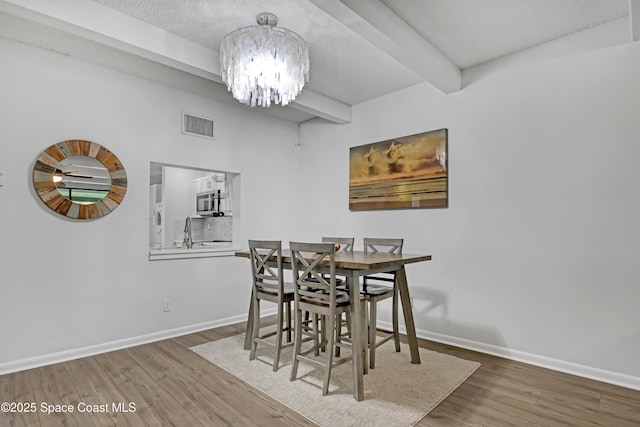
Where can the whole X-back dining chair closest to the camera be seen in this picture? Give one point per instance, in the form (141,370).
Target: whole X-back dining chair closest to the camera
(319,297)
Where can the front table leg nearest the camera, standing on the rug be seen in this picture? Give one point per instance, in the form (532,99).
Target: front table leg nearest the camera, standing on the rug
(358,335)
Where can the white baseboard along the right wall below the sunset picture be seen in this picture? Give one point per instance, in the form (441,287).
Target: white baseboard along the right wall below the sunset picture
(602,375)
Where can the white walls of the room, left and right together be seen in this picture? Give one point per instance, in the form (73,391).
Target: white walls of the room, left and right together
(534,259)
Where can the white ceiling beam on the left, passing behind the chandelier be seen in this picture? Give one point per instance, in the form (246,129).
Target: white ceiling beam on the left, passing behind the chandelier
(94,22)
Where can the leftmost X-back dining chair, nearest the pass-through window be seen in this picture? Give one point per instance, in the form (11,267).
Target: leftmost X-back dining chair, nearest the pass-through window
(269,285)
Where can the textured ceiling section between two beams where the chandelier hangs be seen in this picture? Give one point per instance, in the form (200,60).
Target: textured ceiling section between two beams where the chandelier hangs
(335,50)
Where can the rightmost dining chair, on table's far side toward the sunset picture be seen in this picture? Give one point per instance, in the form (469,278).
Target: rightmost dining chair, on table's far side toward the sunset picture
(376,288)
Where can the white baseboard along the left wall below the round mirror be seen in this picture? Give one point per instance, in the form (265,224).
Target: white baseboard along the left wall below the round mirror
(64,356)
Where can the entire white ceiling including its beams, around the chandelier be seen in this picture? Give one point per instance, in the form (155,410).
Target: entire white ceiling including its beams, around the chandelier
(359,49)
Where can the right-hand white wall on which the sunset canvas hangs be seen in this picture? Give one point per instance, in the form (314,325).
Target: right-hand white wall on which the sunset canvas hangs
(536,256)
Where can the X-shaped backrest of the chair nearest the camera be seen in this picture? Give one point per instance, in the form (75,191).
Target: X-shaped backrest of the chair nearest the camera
(311,287)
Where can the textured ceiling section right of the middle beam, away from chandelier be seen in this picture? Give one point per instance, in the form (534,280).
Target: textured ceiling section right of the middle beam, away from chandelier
(472,32)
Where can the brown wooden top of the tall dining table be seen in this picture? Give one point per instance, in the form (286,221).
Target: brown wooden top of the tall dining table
(360,260)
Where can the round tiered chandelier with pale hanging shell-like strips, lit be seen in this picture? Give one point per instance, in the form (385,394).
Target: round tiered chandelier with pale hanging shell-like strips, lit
(263,63)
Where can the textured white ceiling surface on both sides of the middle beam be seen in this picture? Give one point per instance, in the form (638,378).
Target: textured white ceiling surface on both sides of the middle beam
(467,32)
